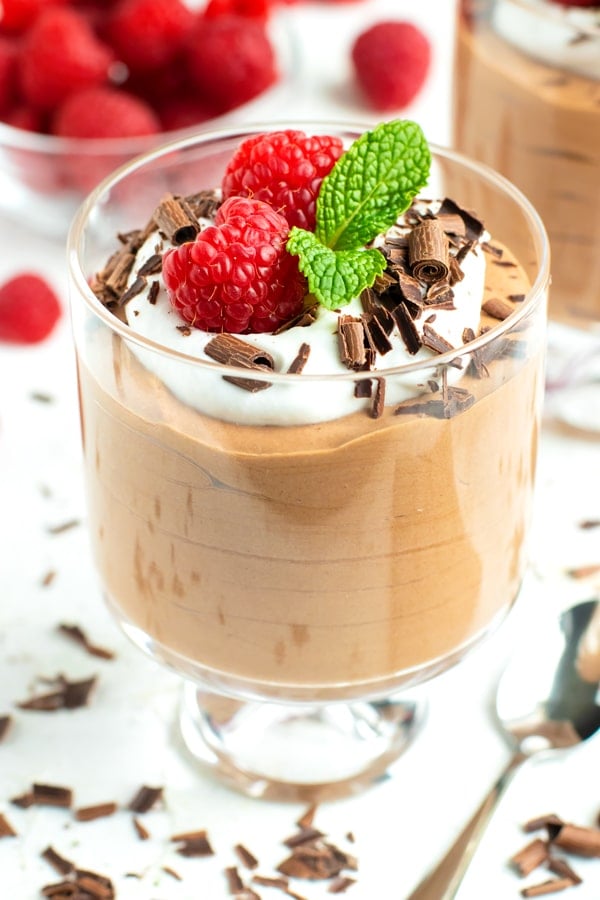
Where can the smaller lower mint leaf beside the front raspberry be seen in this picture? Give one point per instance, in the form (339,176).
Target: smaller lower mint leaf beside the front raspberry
(334,277)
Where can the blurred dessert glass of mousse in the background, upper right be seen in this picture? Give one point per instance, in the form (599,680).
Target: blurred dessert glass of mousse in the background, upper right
(527,103)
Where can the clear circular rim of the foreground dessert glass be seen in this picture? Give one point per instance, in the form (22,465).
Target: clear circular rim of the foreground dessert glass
(76,234)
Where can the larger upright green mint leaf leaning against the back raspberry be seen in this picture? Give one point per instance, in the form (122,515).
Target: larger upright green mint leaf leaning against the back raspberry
(371,184)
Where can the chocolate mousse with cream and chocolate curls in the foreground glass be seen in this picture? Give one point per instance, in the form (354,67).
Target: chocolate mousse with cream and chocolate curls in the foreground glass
(319,533)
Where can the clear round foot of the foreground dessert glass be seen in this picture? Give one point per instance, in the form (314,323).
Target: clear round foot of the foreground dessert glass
(297,752)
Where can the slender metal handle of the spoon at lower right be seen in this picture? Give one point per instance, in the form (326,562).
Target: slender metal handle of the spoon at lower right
(445,881)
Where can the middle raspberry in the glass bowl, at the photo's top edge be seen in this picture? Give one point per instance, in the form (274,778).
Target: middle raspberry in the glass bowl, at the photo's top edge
(149,33)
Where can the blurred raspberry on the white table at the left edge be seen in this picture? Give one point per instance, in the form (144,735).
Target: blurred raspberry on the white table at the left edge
(29,309)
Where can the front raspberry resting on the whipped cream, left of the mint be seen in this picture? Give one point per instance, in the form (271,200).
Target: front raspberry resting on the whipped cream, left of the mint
(237,275)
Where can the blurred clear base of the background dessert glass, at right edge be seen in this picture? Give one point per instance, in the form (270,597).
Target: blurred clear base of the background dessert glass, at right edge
(573,377)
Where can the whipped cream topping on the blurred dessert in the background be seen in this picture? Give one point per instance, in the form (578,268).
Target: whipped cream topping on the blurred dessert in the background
(564,37)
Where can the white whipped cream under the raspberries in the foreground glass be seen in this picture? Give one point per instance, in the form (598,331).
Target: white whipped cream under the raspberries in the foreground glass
(300,400)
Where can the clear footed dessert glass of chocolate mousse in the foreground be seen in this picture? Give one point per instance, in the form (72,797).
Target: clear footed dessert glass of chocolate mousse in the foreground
(298,576)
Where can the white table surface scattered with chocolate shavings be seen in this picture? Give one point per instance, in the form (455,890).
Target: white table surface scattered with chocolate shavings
(125,737)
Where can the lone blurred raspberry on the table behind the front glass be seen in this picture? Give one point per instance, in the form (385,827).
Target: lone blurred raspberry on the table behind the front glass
(391,61)
